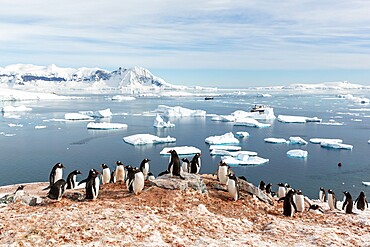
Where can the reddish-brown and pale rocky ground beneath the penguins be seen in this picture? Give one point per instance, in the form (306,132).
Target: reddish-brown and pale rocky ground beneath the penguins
(171,217)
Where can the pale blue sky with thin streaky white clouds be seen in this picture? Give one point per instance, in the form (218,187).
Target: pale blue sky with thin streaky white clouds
(195,42)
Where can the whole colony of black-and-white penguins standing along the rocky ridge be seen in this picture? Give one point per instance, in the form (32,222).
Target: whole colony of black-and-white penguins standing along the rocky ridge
(134,178)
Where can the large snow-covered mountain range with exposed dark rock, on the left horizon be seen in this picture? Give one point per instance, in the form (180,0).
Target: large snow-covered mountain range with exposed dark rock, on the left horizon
(55,79)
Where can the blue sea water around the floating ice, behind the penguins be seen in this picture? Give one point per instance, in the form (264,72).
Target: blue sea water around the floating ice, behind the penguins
(29,155)
